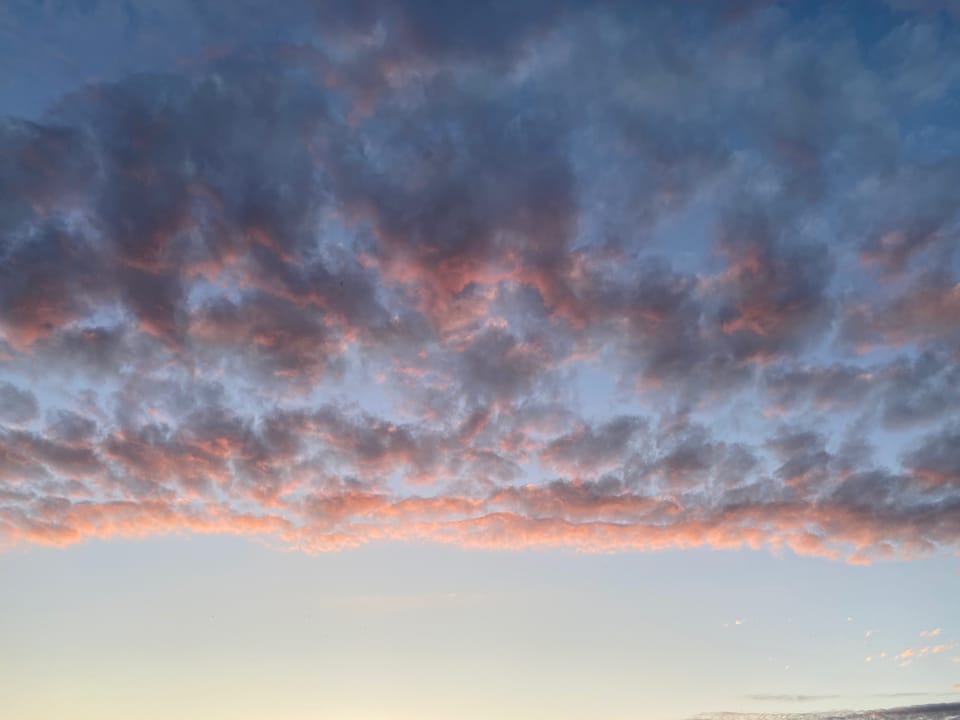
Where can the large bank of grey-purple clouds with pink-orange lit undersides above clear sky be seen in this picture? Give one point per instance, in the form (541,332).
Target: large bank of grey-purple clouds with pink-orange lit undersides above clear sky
(607,276)
